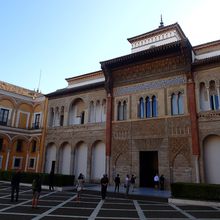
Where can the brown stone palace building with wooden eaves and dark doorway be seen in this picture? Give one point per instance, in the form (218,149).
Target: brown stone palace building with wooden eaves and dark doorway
(155,110)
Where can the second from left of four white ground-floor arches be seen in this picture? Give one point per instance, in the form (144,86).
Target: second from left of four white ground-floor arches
(64,159)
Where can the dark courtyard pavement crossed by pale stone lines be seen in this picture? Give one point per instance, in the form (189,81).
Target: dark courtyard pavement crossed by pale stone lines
(63,205)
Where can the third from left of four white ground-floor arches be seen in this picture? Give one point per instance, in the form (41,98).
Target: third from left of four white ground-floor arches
(81,153)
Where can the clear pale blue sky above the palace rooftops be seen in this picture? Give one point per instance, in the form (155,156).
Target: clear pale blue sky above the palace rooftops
(66,38)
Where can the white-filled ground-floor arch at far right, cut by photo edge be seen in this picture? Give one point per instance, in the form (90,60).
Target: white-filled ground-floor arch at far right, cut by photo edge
(211,146)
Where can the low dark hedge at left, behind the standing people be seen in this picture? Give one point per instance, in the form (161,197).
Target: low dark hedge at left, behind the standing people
(26,177)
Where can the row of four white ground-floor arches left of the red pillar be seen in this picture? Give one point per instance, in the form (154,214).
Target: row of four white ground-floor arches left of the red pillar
(75,160)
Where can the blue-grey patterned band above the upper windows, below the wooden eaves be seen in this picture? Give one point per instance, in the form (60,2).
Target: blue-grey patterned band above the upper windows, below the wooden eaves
(164,83)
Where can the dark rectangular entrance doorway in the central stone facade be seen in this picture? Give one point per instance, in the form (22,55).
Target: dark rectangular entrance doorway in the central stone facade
(148,167)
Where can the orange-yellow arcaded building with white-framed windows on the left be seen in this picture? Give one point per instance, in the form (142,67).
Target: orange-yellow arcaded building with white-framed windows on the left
(22,123)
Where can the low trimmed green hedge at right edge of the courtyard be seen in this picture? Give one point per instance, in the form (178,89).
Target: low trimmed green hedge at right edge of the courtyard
(196,191)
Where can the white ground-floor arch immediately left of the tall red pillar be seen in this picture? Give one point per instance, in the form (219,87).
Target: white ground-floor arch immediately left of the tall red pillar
(98,160)
